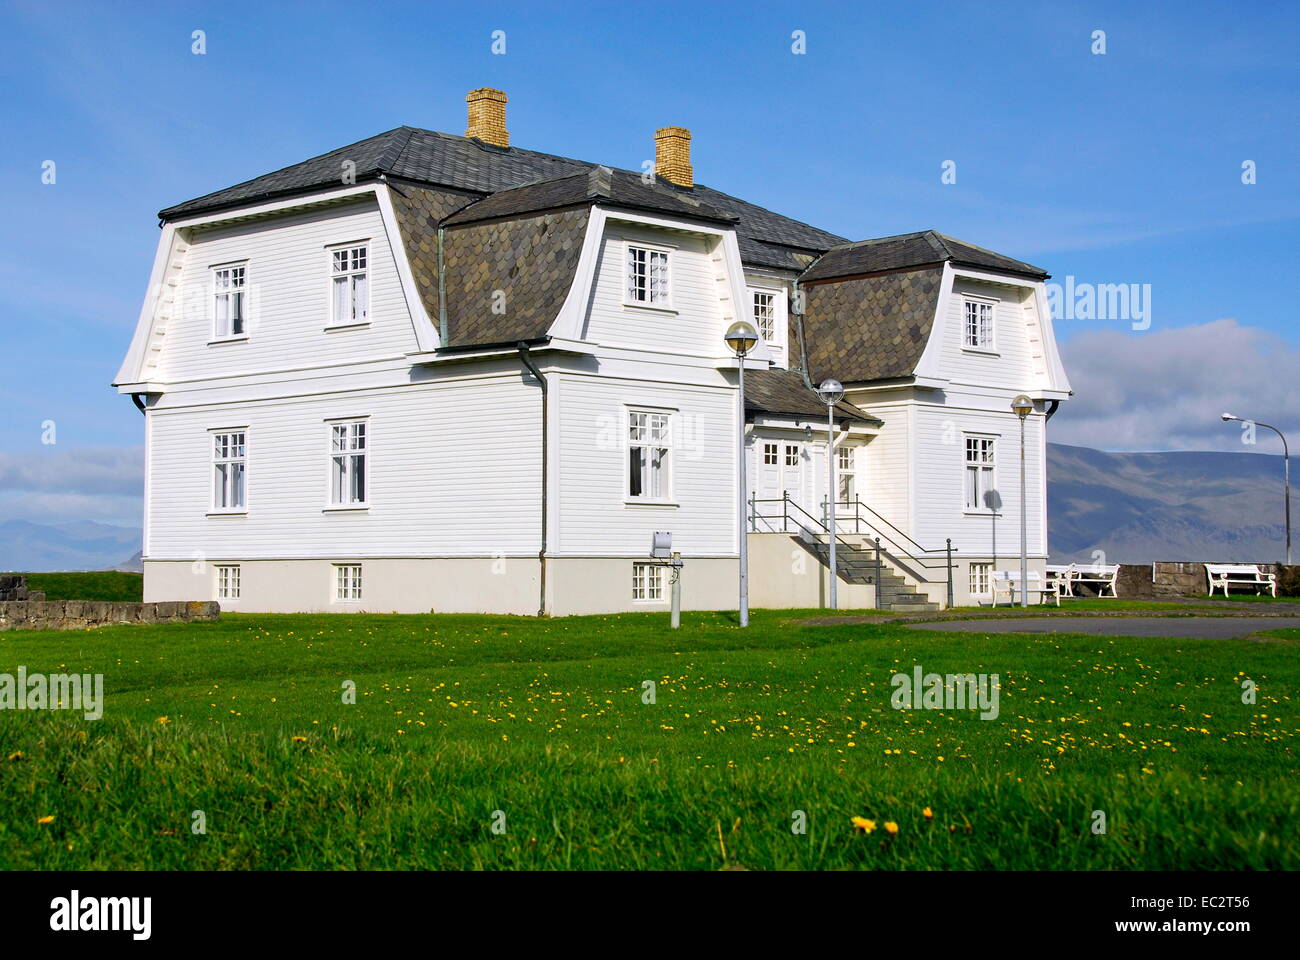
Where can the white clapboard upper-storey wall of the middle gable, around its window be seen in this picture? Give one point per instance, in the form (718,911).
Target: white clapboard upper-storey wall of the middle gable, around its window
(694,325)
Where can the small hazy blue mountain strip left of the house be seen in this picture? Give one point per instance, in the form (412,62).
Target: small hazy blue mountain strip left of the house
(75,546)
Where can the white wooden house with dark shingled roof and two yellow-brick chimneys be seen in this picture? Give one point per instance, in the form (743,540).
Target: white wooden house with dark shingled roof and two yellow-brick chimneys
(437,373)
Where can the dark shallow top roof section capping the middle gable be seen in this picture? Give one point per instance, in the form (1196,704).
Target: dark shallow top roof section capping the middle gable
(600,184)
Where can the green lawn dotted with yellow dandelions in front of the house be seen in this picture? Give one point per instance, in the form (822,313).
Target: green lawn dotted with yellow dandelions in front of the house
(460,717)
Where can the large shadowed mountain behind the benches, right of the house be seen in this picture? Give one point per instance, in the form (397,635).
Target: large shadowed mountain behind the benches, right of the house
(1139,508)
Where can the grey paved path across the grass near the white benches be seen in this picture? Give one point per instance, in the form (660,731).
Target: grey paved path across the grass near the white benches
(1202,628)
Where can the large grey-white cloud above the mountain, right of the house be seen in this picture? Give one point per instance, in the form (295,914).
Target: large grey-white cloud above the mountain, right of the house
(1167,390)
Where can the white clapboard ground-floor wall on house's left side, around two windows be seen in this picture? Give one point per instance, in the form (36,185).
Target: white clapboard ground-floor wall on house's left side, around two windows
(454,472)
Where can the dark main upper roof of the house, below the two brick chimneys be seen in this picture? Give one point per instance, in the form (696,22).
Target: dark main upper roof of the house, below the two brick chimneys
(460,163)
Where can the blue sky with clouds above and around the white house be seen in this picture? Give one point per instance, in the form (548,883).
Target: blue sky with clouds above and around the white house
(1124,167)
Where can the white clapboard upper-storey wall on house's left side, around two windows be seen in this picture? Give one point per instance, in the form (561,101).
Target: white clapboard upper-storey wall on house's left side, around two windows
(289,296)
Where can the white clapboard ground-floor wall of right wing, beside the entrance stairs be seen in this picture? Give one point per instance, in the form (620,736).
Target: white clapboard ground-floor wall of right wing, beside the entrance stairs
(941,496)
